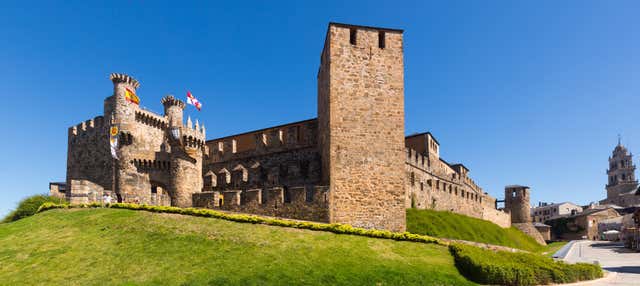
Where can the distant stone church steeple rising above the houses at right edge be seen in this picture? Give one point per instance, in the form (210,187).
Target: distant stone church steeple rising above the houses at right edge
(622,187)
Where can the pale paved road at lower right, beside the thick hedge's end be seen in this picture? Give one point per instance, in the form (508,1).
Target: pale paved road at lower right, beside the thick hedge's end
(624,264)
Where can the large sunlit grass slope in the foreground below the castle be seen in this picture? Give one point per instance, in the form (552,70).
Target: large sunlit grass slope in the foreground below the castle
(110,246)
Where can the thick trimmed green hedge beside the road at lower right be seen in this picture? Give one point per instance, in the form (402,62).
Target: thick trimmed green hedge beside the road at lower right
(509,268)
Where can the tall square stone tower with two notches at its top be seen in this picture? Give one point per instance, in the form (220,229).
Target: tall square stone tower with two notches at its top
(361,125)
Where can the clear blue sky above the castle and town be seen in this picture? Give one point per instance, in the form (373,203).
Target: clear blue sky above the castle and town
(530,93)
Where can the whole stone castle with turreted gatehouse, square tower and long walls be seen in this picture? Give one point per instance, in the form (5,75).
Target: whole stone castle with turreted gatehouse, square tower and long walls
(352,164)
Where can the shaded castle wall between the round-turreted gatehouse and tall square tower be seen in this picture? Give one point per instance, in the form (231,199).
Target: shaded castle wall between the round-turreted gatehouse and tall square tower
(279,156)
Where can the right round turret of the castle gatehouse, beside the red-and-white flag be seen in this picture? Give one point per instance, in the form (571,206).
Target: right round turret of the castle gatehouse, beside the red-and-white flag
(187,146)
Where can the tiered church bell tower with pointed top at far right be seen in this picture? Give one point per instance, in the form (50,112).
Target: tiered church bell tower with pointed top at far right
(621,173)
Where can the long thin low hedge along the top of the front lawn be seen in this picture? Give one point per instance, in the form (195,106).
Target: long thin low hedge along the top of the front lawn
(333,227)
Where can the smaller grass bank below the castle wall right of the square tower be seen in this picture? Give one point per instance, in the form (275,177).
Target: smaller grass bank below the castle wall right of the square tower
(450,225)
